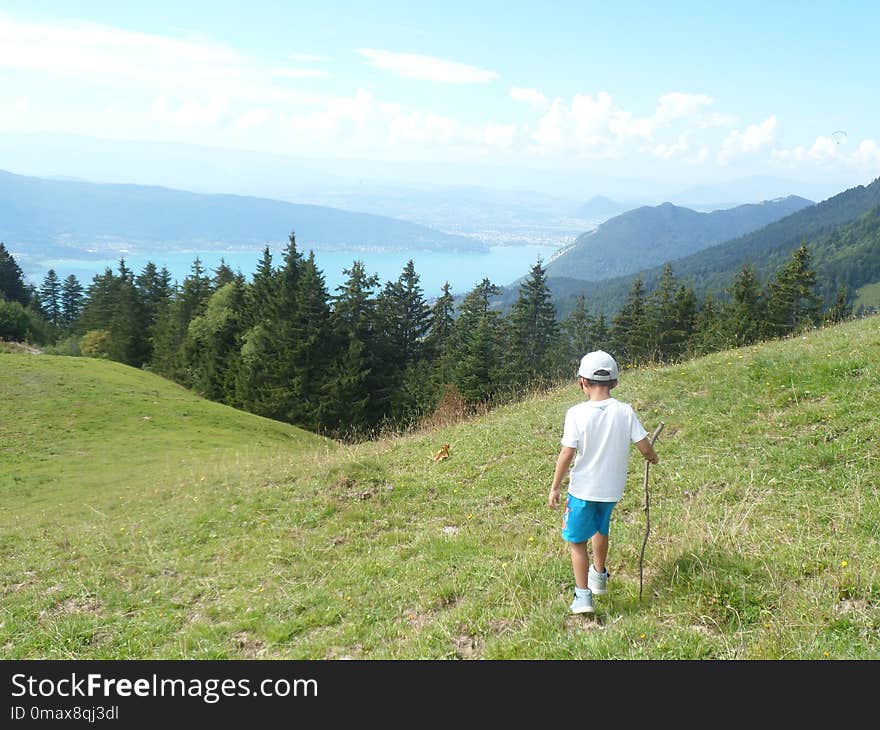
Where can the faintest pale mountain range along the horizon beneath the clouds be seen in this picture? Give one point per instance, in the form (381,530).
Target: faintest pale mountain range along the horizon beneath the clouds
(282,177)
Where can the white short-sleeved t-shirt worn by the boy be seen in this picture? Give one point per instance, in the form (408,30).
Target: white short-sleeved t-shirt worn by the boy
(602,432)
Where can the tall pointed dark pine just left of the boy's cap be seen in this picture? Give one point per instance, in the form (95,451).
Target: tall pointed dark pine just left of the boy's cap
(534,331)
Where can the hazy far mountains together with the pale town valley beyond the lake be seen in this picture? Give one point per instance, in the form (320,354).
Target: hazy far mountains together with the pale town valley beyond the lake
(522,206)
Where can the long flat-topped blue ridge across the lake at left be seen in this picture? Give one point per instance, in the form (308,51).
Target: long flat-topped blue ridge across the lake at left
(54,217)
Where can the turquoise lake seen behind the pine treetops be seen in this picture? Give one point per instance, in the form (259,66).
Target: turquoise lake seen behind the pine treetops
(502,265)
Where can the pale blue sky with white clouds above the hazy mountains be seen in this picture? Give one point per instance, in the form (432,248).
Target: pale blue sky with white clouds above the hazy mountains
(679,91)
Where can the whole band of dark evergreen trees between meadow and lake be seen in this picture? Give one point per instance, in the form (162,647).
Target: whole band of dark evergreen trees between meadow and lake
(372,356)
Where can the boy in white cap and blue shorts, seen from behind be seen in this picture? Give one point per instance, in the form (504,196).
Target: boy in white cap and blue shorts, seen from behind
(599,432)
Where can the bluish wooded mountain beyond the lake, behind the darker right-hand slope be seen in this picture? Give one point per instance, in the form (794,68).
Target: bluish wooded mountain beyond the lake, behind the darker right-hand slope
(651,235)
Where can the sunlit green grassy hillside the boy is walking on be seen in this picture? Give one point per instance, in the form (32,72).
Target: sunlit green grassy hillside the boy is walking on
(764,511)
